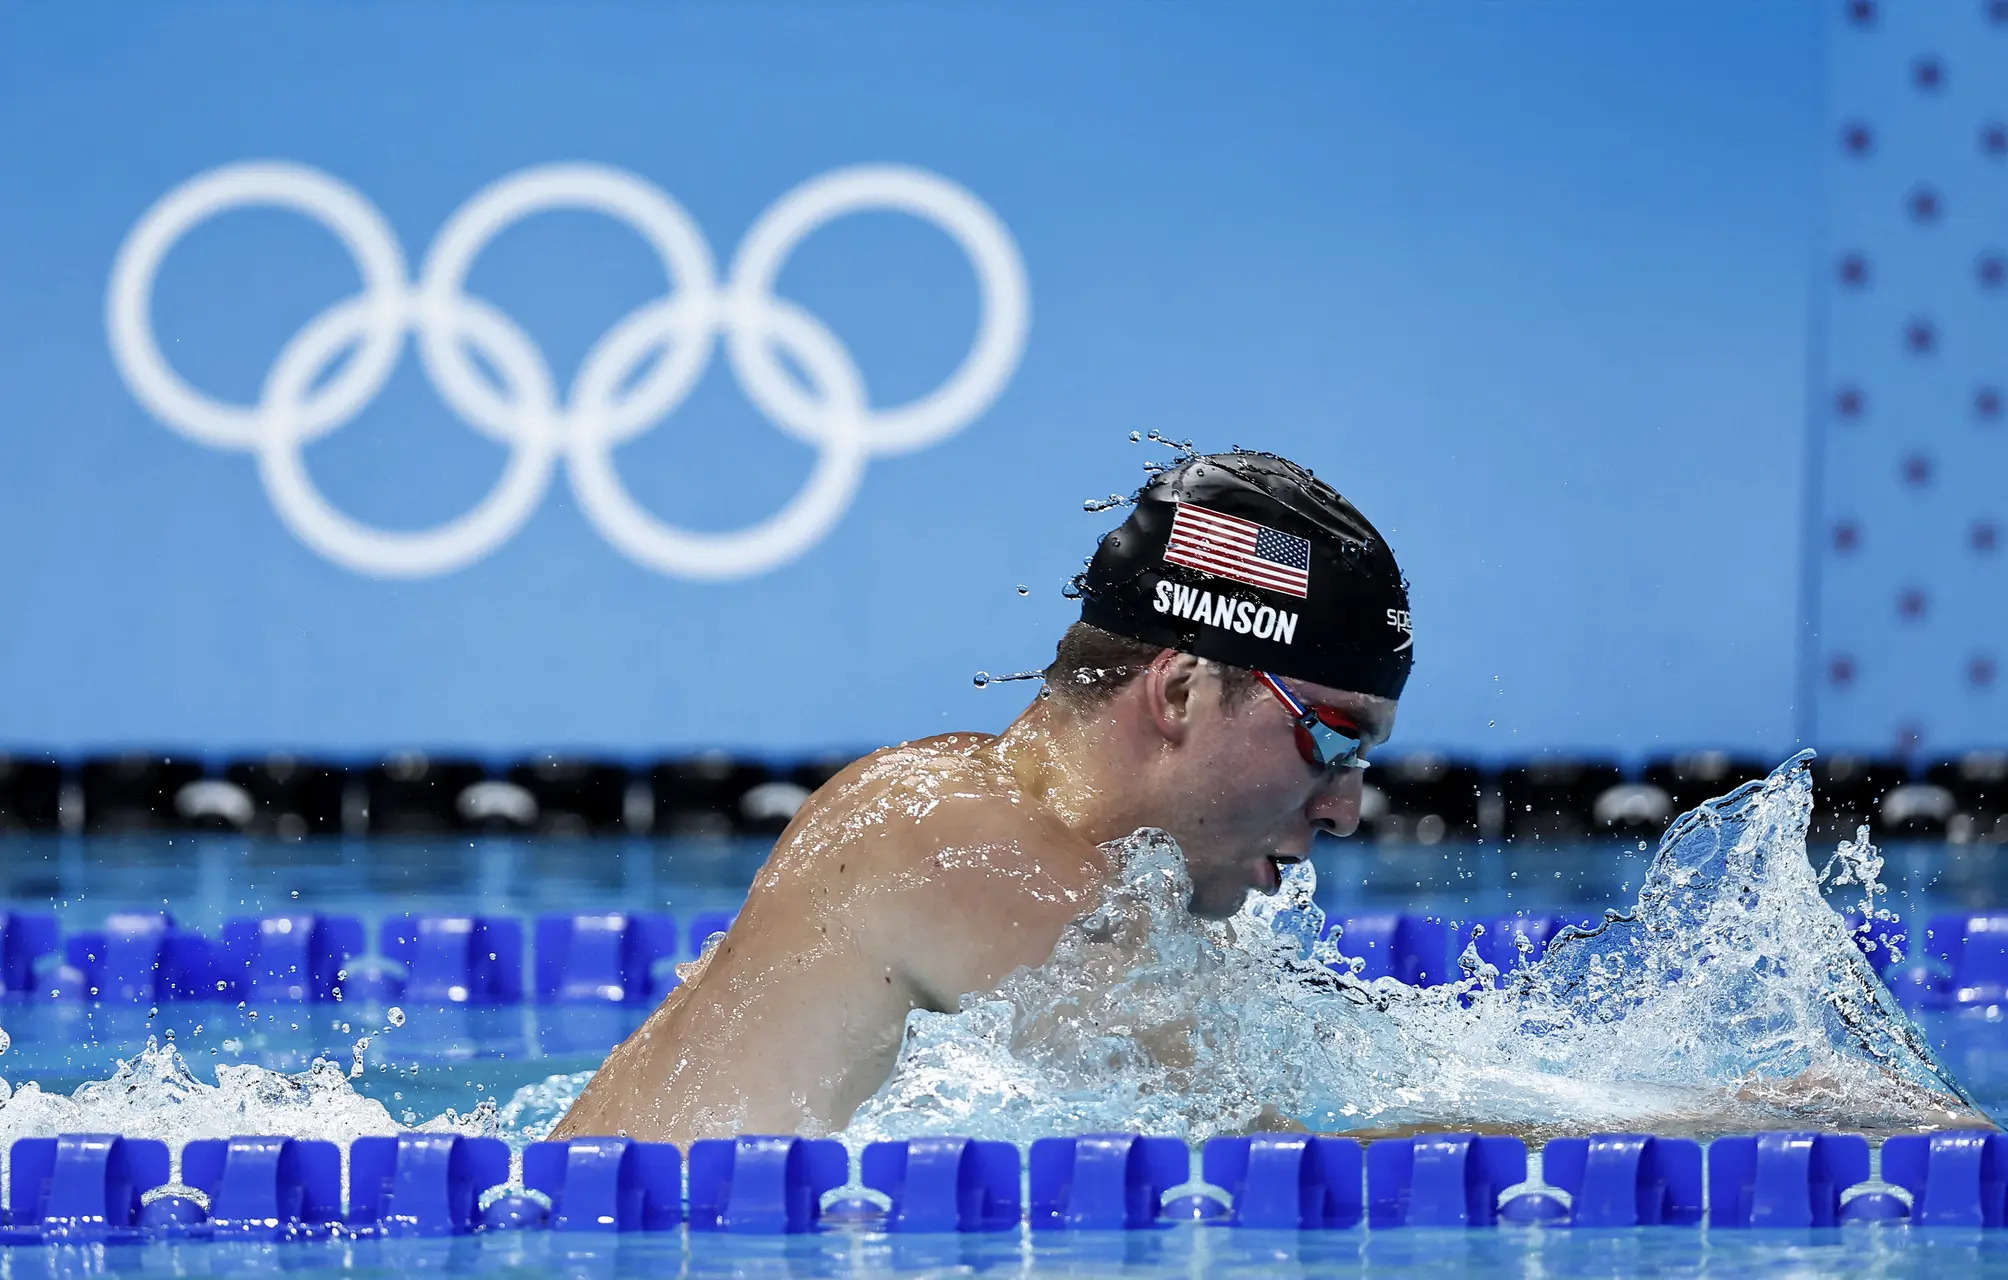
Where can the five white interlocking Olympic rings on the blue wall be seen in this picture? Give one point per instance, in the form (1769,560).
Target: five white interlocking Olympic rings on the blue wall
(617,393)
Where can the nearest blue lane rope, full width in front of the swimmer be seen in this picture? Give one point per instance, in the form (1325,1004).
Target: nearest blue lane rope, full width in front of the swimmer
(107,1189)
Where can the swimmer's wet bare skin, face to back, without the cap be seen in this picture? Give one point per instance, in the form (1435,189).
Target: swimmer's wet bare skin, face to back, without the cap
(931,871)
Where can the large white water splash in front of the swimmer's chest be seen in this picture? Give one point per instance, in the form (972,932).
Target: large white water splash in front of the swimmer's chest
(1730,998)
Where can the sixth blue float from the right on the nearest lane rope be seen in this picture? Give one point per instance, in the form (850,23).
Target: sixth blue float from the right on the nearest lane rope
(1103,1181)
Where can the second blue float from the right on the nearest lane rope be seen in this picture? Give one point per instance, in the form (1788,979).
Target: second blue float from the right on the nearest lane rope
(1794,1181)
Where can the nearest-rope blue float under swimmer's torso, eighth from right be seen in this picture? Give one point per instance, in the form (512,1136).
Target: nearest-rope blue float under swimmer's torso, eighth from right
(764,1185)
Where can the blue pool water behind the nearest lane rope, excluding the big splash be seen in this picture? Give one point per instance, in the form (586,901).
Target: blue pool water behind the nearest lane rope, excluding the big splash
(463,1056)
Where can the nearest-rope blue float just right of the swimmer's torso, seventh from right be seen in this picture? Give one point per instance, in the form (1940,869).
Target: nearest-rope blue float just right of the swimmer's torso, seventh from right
(945,1185)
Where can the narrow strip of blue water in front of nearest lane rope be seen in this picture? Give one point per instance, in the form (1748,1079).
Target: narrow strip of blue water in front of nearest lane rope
(1182,1251)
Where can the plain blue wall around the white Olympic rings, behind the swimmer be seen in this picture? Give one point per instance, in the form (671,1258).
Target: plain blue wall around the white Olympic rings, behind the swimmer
(1529,282)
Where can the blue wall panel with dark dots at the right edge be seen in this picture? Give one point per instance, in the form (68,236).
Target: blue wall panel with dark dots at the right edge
(1911,397)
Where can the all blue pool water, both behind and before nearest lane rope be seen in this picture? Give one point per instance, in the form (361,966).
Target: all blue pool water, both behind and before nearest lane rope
(499,1070)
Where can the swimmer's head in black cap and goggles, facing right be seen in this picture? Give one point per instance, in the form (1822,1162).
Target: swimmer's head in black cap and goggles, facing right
(1236,566)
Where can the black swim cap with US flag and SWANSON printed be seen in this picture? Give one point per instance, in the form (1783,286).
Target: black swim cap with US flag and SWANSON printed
(1254,562)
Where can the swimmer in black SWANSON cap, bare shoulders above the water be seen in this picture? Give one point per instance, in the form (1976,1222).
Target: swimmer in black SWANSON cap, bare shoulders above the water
(1242,650)
